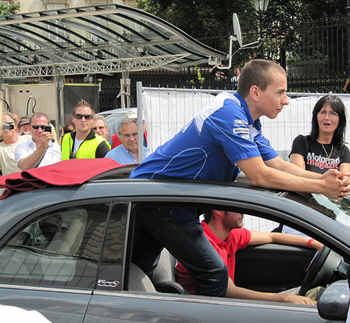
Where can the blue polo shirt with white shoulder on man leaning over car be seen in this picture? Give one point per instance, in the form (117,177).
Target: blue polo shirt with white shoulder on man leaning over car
(208,148)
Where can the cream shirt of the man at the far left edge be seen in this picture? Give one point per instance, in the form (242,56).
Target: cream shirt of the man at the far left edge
(7,155)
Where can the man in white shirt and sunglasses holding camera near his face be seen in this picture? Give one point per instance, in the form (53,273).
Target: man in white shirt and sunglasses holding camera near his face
(42,150)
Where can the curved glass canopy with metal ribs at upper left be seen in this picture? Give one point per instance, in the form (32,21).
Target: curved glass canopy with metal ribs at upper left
(94,39)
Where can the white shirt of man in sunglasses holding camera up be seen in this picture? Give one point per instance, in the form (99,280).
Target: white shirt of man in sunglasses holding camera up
(52,155)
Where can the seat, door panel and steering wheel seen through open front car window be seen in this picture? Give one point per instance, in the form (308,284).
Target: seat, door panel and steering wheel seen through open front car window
(266,268)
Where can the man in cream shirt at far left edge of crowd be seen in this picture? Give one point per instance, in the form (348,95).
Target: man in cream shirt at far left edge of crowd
(10,141)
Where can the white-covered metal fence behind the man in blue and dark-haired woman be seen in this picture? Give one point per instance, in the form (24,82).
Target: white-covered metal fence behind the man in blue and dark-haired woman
(167,110)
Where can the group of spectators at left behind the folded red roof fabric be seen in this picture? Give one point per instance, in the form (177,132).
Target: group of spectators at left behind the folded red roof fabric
(31,142)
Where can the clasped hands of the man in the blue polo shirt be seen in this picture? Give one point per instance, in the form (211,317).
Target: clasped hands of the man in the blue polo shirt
(336,184)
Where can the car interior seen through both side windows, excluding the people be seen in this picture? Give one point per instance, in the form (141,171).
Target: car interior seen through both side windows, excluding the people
(60,247)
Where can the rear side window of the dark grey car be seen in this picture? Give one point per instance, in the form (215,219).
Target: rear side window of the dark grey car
(59,248)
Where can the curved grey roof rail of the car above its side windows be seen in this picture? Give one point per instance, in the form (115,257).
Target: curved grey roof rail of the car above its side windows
(186,192)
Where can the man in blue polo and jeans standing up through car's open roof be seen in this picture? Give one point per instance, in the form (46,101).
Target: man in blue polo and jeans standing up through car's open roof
(224,138)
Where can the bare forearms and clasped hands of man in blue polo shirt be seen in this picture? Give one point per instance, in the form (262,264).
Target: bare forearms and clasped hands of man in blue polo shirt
(288,176)
